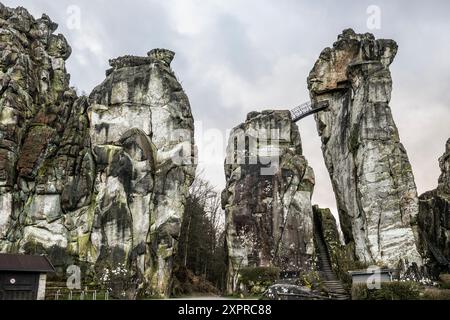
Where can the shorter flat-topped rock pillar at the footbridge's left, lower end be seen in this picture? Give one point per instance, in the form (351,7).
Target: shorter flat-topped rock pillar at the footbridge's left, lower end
(267,198)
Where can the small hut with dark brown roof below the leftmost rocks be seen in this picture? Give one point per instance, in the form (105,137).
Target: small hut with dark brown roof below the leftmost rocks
(23,277)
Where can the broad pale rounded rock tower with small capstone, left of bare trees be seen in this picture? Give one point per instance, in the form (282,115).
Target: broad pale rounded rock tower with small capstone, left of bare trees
(141,131)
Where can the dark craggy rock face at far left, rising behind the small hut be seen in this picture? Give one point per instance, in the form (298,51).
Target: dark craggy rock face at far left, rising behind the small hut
(36,103)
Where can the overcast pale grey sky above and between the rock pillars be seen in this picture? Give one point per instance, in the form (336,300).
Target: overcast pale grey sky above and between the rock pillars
(234,57)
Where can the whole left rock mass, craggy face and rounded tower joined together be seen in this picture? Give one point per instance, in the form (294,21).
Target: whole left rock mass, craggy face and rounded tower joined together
(100,180)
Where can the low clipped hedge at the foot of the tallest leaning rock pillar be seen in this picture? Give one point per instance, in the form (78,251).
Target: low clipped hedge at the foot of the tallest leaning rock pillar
(396,290)
